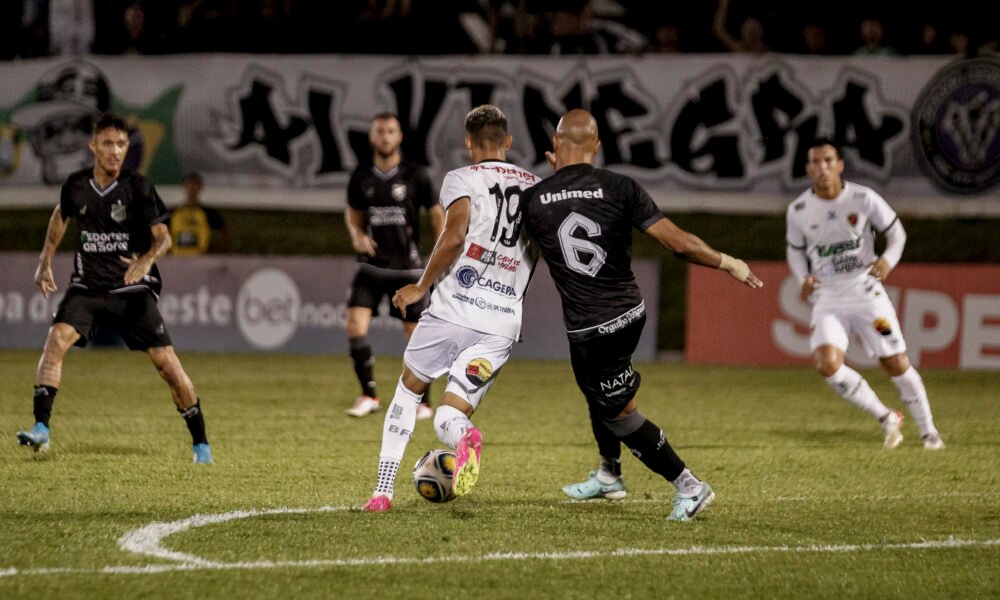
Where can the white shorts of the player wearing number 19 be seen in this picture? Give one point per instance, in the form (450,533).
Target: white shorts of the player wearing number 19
(472,359)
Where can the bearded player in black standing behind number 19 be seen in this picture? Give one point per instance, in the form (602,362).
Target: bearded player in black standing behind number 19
(382,217)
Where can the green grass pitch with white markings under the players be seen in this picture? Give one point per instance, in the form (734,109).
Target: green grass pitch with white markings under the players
(808,503)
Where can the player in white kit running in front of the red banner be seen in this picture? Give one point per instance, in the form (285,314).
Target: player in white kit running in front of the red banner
(831,250)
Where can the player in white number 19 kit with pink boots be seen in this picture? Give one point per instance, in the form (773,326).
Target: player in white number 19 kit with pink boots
(480,267)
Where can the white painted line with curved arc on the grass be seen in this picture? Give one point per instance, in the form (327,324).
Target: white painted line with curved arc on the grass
(148,541)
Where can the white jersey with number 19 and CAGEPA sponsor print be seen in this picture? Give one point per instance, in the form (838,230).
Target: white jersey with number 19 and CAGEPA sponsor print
(484,288)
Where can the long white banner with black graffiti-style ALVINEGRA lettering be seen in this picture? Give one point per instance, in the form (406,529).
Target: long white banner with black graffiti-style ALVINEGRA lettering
(725,130)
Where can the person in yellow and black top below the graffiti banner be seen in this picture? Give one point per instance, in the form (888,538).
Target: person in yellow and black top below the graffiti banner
(195,228)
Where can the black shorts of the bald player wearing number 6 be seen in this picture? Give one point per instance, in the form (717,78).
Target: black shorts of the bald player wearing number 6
(603,369)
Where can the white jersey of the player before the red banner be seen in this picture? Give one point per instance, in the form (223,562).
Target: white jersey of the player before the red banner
(838,235)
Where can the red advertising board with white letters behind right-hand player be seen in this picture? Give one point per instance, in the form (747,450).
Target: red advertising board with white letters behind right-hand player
(949,314)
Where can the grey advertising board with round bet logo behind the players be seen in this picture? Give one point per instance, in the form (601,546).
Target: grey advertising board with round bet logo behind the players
(278,304)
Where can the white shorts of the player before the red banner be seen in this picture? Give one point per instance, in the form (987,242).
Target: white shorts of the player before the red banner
(873,322)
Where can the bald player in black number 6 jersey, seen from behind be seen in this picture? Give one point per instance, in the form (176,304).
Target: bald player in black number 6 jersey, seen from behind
(582,218)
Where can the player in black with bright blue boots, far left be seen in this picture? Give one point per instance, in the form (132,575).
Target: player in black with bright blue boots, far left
(121,232)
